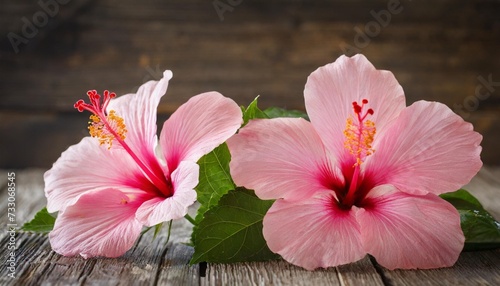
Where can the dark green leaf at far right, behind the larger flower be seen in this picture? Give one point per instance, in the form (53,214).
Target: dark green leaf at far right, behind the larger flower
(481,230)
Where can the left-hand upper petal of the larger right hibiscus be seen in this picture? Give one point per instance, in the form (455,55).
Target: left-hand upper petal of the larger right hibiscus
(281,158)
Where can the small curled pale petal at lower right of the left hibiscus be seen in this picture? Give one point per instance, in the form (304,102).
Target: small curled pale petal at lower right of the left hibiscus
(157,210)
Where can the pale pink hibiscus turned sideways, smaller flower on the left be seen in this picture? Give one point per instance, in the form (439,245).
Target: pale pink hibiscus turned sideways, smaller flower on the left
(107,187)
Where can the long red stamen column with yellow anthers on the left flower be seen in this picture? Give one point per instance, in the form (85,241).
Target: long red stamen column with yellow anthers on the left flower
(108,127)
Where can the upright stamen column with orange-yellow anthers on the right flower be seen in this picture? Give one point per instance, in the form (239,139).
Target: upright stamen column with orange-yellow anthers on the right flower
(359,134)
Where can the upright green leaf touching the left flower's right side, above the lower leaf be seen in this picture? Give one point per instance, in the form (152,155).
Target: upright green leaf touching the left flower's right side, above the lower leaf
(215,179)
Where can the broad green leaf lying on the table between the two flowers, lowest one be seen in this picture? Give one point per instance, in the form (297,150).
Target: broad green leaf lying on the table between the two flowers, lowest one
(232,230)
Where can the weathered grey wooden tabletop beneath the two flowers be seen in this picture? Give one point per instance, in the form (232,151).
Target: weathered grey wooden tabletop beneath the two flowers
(152,262)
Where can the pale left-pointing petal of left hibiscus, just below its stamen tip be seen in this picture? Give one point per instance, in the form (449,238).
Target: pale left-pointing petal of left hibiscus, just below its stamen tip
(87,166)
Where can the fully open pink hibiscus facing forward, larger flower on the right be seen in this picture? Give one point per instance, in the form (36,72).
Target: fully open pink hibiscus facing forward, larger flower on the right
(363,176)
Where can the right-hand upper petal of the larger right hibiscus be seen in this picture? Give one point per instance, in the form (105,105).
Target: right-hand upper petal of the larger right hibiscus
(427,149)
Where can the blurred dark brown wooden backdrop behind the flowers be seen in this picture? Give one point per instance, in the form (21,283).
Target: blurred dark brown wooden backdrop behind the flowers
(52,52)
